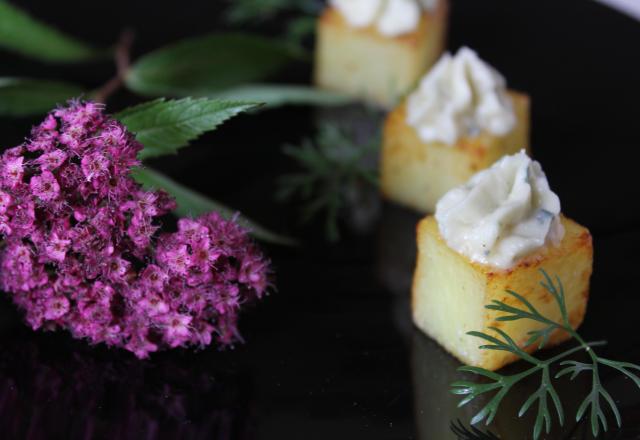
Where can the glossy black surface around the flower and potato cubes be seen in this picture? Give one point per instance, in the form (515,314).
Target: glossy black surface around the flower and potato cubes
(332,353)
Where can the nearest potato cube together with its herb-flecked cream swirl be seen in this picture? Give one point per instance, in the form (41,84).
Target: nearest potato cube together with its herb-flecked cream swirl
(488,236)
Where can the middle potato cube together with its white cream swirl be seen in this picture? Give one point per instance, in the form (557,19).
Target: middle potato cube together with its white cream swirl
(461,119)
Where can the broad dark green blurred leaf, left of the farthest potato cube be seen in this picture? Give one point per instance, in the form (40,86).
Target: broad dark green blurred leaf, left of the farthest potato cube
(205,65)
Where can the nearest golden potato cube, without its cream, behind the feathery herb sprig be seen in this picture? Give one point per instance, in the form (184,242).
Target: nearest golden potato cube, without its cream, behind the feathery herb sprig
(450,292)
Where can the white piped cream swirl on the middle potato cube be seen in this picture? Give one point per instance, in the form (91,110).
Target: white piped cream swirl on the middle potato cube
(460,96)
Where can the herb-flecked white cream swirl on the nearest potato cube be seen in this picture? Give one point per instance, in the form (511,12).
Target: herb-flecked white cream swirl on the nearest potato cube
(502,213)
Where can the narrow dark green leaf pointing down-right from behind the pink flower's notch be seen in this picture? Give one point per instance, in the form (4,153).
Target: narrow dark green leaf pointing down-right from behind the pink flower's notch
(191,203)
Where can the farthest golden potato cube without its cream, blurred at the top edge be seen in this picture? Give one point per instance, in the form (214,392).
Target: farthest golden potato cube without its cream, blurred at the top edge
(363,63)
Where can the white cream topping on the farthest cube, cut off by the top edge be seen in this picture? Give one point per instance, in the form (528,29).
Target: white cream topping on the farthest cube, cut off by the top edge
(390,17)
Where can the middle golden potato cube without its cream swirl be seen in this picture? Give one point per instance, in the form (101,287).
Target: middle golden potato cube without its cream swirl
(417,174)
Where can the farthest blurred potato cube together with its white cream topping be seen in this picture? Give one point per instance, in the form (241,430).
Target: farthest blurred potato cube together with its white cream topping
(378,49)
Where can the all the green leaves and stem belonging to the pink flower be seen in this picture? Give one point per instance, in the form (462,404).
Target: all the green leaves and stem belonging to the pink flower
(198,67)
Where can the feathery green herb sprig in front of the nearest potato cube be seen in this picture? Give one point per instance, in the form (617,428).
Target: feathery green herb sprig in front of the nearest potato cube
(545,396)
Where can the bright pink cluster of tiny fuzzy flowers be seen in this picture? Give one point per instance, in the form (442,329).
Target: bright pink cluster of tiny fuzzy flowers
(82,249)
